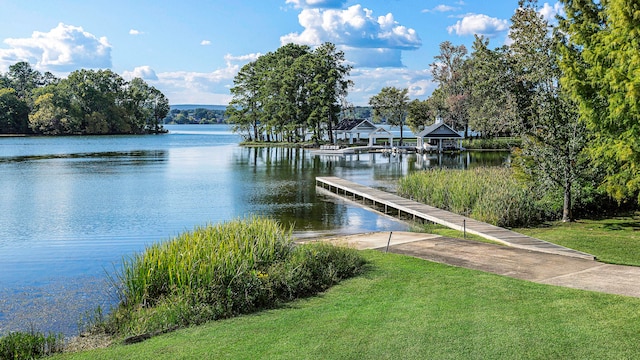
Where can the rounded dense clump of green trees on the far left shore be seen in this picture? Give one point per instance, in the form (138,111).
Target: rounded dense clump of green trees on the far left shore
(87,102)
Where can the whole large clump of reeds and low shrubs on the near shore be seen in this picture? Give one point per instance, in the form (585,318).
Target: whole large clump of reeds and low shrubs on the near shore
(218,271)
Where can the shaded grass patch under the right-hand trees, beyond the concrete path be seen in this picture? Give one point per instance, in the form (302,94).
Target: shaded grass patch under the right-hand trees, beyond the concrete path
(614,240)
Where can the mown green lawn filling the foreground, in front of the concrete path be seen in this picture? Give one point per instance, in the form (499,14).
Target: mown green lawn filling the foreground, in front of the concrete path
(407,308)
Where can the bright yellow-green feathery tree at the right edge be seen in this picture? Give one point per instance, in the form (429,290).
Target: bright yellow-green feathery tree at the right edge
(601,65)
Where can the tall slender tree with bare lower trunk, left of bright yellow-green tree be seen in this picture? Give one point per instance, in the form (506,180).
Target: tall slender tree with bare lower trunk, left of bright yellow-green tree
(553,137)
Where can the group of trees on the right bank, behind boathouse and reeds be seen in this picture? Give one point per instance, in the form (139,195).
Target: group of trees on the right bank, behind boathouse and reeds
(569,91)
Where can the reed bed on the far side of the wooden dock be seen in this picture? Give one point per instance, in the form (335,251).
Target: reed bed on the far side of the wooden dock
(488,194)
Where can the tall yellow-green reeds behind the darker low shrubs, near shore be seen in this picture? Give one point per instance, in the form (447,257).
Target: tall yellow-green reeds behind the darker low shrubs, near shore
(207,255)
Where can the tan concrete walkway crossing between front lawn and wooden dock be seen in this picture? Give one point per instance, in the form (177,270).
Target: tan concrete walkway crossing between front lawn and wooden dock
(522,264)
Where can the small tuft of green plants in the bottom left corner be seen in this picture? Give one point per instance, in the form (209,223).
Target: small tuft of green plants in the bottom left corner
(30,345)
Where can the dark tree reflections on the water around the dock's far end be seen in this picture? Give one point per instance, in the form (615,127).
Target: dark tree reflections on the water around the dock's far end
(280,182)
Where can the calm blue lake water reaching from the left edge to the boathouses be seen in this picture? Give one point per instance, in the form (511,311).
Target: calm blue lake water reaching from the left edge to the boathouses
(72,207)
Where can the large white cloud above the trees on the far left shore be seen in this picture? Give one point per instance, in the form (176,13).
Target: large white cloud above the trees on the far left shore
(64,48)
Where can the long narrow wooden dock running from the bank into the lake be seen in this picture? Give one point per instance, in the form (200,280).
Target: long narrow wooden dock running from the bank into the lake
(398,206)
